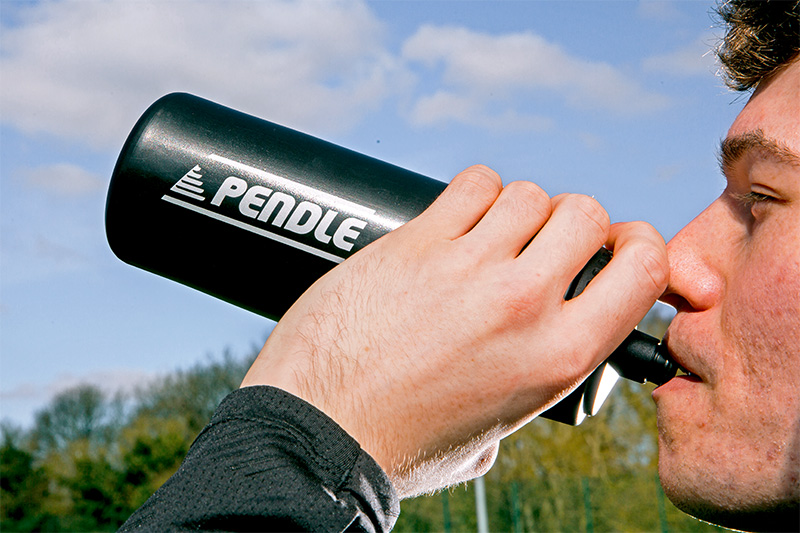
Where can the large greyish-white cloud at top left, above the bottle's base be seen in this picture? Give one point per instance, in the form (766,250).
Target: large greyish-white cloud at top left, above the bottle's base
(85,70)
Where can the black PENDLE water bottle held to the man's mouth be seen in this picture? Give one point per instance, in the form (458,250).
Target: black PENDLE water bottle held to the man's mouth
(253,213)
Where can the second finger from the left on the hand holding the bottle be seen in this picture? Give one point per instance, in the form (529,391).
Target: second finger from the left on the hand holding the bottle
(515,217)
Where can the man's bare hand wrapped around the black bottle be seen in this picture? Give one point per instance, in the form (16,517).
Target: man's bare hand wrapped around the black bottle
(442,337)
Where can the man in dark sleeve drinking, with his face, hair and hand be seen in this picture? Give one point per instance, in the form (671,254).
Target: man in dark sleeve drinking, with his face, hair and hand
(413,404)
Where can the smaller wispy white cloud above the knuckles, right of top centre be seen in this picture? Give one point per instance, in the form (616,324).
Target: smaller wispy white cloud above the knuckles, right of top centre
(480,70)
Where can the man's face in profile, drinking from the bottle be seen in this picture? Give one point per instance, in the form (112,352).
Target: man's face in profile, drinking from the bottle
(729,438)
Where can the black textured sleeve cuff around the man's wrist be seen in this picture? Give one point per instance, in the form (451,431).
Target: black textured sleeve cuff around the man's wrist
(268,461)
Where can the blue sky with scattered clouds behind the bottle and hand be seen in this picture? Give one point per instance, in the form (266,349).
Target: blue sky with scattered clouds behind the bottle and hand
(619,100)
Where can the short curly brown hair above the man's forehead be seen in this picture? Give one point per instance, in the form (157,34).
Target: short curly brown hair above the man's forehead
(762,36)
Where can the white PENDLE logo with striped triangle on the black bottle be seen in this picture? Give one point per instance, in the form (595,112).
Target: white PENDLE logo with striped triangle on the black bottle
(276,208)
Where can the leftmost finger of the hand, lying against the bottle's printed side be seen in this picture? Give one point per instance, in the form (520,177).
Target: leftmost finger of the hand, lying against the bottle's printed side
(462,204)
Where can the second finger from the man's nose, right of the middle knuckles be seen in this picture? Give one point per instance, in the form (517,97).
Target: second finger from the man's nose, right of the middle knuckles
(576,229)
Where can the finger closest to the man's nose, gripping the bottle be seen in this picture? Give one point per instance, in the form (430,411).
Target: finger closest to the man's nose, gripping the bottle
(621,294)
